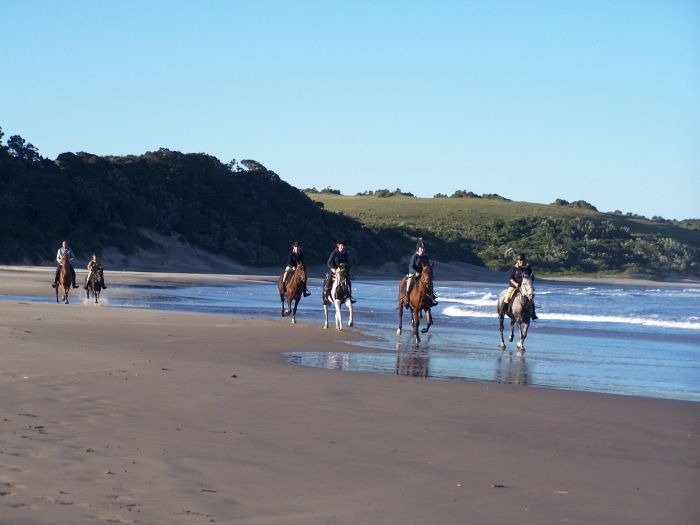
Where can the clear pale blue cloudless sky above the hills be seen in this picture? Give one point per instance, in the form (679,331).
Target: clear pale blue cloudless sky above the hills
(596,101)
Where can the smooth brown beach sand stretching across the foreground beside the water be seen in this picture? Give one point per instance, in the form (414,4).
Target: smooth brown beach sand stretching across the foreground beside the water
(134,416)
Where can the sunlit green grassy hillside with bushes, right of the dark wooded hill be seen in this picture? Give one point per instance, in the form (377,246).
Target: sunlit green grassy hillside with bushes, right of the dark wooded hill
(557,238)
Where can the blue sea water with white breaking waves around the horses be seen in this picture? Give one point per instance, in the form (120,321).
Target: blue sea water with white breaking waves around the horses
(629,340)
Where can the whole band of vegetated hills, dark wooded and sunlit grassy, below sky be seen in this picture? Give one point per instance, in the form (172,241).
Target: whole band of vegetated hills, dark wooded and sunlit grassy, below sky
(247,212)
